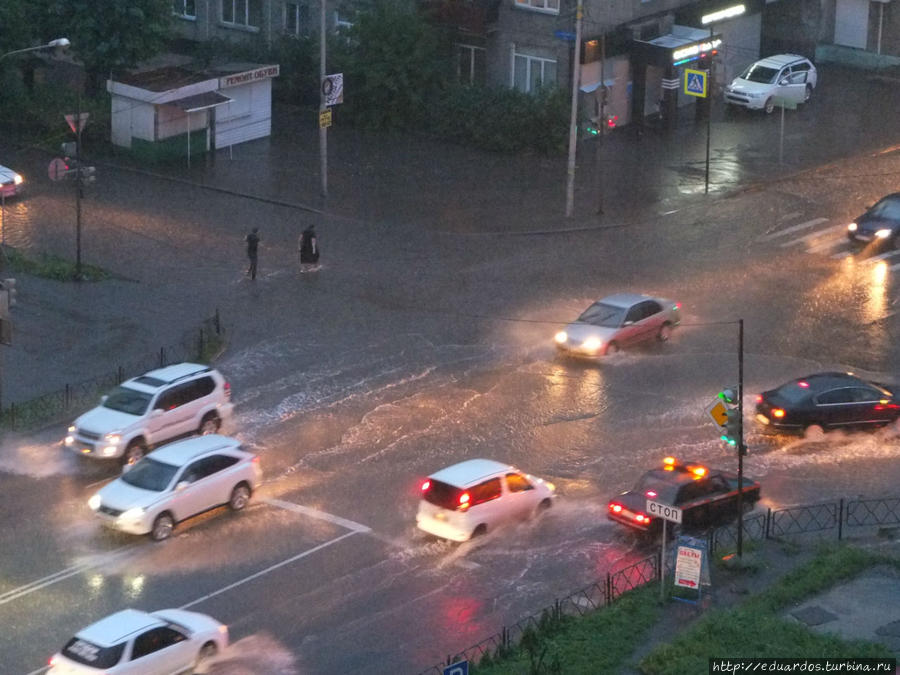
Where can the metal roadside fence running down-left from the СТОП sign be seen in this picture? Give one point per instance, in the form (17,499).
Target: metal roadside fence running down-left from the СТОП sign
(593,596)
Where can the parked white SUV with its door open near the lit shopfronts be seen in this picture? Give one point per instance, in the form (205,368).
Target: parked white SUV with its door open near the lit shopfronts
(784,75)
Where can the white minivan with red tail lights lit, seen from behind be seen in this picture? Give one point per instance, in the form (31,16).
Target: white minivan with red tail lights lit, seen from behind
(473,497)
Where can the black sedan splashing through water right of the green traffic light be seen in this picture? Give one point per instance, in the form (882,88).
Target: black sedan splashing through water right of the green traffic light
(823,401)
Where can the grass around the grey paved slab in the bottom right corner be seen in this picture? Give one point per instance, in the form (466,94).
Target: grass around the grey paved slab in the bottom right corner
(756,629)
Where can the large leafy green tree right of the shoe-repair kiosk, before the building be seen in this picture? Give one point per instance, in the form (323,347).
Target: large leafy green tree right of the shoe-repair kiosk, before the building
(393,61)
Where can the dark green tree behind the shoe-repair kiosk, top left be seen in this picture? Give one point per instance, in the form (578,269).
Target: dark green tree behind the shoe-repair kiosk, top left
(109,36)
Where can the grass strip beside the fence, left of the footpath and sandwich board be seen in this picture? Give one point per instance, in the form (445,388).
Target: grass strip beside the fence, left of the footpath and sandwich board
(599,642)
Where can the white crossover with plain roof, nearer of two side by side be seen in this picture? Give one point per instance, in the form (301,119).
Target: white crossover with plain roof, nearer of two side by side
(178,481)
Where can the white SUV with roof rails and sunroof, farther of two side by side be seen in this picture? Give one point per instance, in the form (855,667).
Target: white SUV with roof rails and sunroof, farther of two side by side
(151,409)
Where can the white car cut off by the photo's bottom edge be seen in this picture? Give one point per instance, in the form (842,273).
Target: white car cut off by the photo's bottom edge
(142,643)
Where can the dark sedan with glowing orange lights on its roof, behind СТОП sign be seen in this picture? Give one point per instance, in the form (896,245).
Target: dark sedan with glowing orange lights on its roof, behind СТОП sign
(706,497)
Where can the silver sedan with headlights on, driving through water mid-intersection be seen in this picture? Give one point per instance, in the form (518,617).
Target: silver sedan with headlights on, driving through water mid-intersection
(617,321)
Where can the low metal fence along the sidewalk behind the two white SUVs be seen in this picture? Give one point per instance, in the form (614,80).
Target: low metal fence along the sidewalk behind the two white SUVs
(56,405)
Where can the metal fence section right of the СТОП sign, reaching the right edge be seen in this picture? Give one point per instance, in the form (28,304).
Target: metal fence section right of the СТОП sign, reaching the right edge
(833,517)
